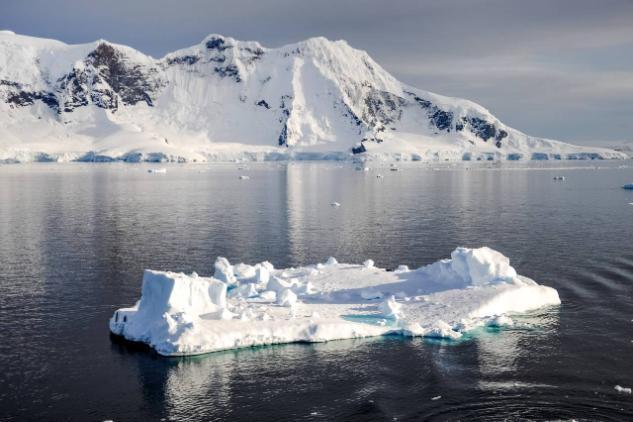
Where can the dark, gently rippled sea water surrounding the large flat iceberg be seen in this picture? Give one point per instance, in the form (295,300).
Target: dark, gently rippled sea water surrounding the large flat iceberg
(76,238)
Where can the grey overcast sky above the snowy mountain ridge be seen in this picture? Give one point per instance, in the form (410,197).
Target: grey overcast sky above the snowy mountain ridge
(554,68)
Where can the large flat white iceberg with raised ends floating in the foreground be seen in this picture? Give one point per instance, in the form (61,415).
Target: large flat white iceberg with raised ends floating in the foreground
(250,305)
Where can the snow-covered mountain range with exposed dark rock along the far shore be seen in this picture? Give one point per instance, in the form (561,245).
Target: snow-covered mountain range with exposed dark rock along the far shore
(225,99)
